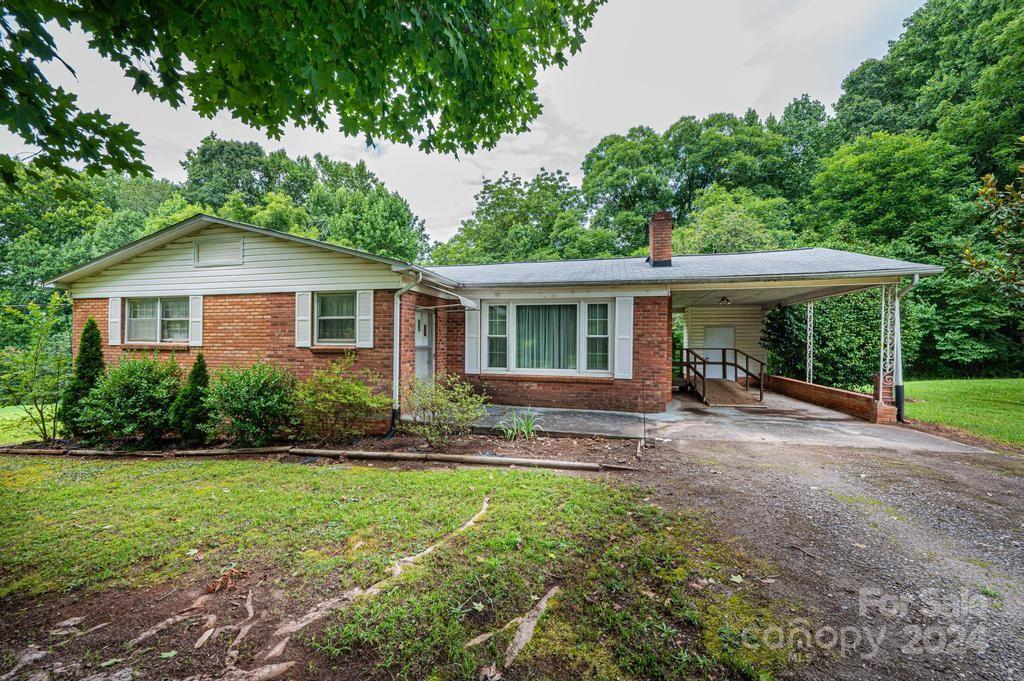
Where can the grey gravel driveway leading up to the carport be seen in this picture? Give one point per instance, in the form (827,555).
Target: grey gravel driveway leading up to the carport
(907,549)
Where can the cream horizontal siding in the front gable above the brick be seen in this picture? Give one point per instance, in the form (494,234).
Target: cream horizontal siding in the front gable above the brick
(269,266)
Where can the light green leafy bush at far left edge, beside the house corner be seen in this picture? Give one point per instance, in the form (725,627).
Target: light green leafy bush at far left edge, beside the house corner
(35,375)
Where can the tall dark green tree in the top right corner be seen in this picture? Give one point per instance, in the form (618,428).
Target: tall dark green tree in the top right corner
(958,70)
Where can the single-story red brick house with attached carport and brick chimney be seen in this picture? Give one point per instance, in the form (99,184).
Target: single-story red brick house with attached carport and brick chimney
(587,334)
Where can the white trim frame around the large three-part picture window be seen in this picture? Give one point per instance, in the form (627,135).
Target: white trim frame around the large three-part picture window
(510,330)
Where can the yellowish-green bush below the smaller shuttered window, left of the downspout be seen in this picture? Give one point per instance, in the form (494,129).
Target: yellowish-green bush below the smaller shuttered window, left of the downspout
(336,405)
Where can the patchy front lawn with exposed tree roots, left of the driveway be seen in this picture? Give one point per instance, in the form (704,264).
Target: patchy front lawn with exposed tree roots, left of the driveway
(628,610)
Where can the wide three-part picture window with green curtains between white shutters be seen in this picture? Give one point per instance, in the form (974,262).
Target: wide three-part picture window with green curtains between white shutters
(561,337)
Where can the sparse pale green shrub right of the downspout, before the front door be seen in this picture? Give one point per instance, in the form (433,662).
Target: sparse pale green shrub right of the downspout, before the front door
(443,409)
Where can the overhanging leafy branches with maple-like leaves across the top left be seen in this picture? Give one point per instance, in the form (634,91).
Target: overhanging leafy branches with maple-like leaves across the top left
(450,77)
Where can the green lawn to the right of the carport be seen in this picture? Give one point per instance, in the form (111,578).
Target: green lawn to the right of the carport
(990,408)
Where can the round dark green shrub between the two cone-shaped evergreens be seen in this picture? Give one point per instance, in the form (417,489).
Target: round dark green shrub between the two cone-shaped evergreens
(131,406)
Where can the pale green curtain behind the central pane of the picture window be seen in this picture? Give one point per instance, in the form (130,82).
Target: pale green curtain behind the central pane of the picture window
(546,336)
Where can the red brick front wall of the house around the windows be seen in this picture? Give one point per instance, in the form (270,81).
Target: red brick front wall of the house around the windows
(241,330)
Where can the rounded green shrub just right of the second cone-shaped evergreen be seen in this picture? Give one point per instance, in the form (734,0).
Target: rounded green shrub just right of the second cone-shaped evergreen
(251,406)
